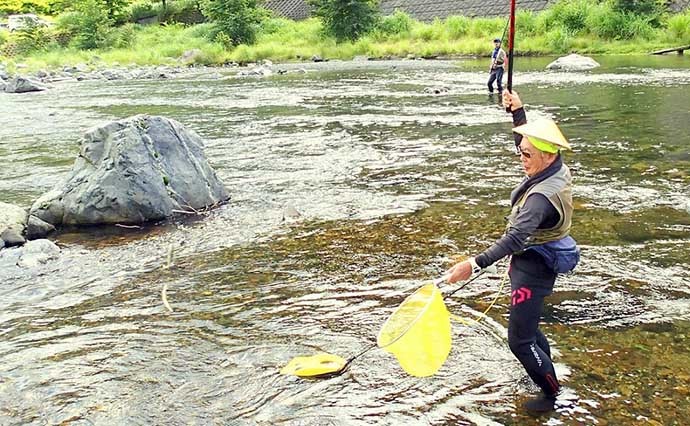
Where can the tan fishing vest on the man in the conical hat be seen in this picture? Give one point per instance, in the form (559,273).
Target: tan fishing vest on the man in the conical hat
(557,189)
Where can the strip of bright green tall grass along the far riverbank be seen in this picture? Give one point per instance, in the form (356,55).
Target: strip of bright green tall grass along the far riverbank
(569,26)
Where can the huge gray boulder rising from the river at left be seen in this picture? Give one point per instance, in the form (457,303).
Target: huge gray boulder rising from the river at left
(131,171)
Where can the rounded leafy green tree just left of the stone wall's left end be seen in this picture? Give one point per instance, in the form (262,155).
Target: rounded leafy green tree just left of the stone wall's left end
(238,20)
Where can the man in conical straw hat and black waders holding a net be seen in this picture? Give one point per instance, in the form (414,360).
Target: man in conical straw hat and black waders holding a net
(537,239)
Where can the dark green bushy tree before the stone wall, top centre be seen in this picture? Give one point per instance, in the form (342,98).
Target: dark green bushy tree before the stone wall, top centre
(347,19)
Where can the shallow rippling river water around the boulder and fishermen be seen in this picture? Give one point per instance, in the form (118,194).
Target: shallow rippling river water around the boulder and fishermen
(391,184)
